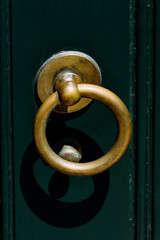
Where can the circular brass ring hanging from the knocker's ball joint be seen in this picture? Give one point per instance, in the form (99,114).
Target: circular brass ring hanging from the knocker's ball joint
(99,165)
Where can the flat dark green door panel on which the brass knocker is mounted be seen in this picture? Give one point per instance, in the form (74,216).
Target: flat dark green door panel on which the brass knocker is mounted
(40,29)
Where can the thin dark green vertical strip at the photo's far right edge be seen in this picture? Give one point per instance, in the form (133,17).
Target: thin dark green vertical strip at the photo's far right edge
(156,146)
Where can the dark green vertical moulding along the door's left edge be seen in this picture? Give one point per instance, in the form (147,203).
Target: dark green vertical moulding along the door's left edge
(6,121)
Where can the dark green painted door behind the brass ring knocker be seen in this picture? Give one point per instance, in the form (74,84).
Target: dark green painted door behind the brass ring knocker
(39,203)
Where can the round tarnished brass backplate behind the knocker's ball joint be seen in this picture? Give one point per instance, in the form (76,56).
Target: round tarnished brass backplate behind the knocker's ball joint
(83,68)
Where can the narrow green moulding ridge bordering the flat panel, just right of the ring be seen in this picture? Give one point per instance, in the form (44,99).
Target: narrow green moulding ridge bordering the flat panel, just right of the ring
(132,75)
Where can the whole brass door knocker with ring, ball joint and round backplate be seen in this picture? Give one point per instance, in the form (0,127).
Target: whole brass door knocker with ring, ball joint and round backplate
(66,83)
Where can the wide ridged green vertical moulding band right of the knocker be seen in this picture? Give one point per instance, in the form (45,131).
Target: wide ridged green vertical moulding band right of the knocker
(142,112)
